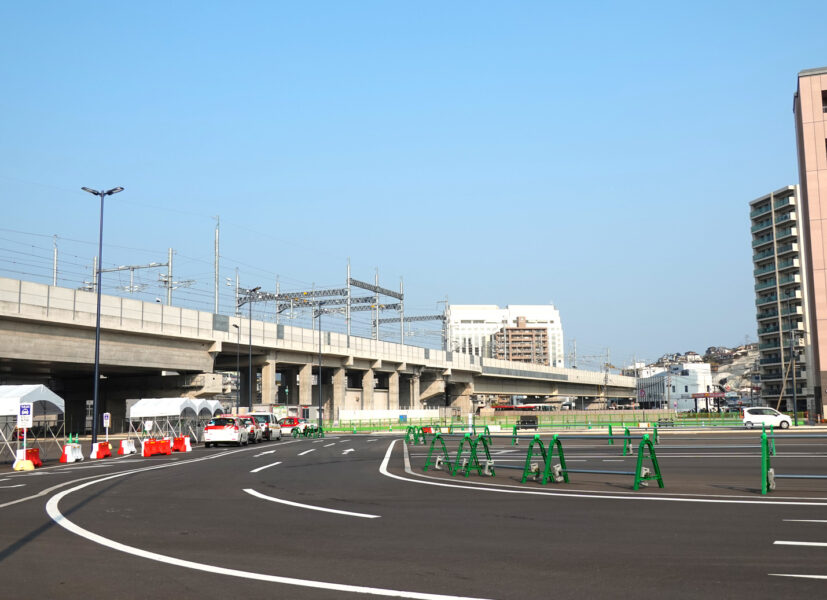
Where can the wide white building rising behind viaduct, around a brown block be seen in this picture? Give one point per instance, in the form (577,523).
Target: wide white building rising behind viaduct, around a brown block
(471,328)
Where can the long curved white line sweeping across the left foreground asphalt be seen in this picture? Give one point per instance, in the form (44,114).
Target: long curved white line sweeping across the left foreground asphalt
(53,510)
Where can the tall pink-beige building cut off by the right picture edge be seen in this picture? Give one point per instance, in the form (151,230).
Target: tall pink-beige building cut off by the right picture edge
(810,109)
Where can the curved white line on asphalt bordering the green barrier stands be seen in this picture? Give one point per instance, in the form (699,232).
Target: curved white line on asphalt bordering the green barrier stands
(503,489)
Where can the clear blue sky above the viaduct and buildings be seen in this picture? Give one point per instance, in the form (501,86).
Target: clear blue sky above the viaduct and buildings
(597,156)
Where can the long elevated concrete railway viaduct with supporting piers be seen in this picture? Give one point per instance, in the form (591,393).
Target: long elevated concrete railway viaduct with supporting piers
(149,350)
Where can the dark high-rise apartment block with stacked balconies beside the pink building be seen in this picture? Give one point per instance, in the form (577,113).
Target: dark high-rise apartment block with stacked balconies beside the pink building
(781,300)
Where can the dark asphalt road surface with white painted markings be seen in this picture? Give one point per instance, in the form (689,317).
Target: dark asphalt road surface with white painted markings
(356,516)
